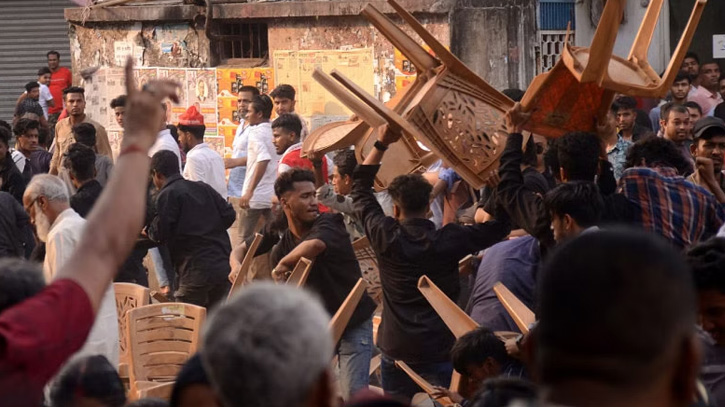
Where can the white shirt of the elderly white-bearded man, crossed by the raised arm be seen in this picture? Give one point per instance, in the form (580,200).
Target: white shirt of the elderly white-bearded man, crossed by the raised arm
(63,238)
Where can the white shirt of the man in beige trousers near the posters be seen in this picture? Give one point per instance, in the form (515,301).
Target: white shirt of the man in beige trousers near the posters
(261,148)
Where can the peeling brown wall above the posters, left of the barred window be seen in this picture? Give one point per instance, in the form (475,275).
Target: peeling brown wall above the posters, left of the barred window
(153,44)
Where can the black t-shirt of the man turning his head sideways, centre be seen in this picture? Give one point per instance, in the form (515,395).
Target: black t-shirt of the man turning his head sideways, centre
(335,271)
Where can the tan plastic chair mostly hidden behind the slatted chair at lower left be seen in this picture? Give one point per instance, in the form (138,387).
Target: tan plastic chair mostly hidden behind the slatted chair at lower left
(128,296)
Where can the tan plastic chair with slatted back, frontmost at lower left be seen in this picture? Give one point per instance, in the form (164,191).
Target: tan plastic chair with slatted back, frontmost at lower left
(161,338)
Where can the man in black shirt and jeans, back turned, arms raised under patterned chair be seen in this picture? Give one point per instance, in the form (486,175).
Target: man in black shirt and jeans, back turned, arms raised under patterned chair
(407,247)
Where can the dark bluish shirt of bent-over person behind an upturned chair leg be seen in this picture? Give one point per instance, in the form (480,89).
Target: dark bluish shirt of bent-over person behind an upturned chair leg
(514,263)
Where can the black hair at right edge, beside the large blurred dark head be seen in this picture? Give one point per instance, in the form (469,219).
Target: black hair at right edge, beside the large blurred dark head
(707,261)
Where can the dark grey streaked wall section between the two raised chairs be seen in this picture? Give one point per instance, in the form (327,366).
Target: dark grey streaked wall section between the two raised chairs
(496,39)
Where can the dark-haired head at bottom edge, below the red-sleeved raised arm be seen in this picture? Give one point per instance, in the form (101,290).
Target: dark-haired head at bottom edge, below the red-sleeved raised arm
(88,377)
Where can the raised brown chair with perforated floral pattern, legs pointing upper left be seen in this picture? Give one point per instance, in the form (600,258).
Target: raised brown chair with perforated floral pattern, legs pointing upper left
(450,109)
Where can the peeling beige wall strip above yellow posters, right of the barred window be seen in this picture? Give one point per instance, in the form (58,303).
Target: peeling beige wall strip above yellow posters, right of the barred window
(351,32)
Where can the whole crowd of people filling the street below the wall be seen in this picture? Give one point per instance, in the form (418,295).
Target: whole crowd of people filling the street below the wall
(612,238)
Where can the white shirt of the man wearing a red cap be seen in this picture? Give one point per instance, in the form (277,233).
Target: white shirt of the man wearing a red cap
(206,165)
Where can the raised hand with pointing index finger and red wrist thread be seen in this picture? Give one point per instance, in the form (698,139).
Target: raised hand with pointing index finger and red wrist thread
(143,109)
